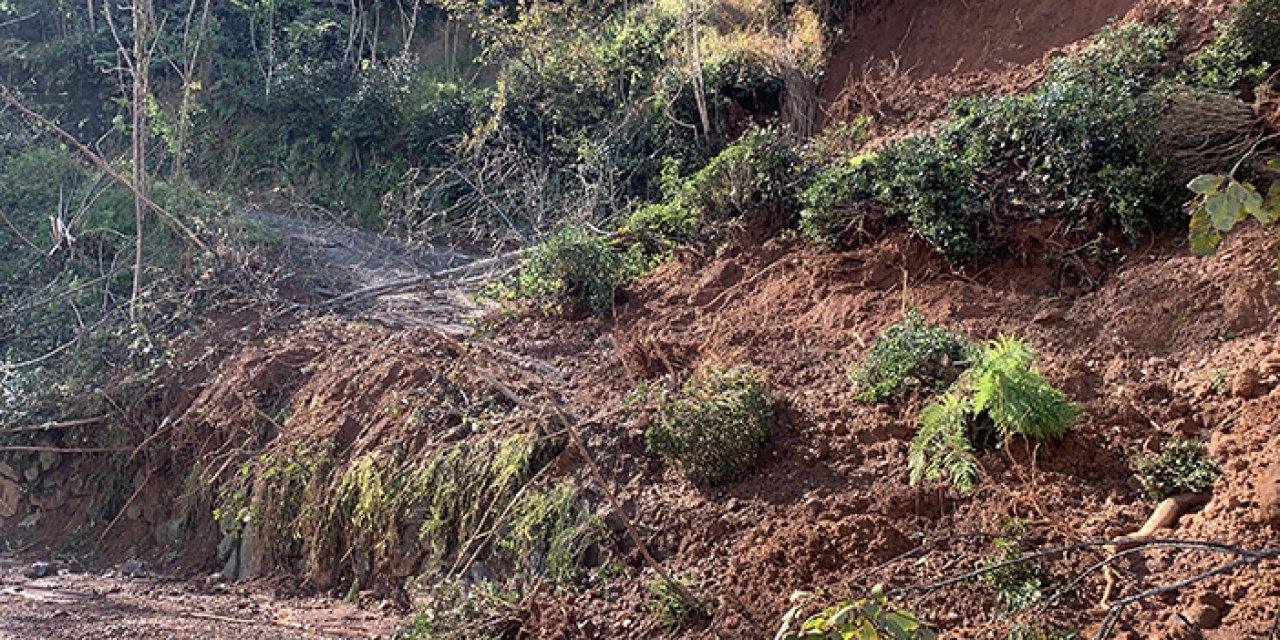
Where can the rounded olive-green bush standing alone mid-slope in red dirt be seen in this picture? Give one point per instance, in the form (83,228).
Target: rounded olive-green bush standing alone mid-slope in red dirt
(715,427)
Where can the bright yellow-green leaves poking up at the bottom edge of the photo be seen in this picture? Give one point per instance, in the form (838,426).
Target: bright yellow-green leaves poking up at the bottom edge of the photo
(872,619)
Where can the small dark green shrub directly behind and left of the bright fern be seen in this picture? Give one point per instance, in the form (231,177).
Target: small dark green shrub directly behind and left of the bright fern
(911,355)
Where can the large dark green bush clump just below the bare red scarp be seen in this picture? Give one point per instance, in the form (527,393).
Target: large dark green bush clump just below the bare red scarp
(1073,149)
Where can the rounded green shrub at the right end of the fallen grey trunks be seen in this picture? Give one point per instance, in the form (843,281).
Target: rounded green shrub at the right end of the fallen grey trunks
(574,264)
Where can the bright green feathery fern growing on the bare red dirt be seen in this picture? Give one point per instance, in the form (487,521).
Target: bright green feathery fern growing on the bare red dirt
(1003,388)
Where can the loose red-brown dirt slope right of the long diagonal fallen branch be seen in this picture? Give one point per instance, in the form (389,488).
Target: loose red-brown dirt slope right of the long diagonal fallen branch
(1141,354)
